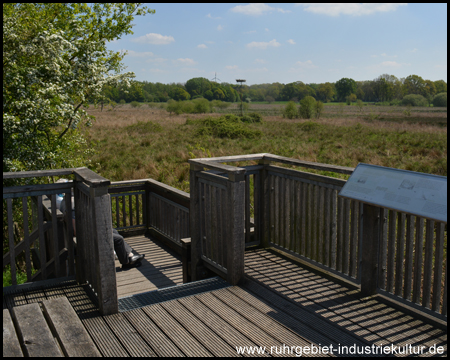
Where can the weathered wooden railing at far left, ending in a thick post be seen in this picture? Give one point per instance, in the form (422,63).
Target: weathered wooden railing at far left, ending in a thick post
(38,232)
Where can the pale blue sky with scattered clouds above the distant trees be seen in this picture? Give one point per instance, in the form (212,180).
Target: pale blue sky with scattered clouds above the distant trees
(266,43)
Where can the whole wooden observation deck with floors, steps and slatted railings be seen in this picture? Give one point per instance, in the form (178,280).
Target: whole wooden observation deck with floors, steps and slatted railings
(296,289)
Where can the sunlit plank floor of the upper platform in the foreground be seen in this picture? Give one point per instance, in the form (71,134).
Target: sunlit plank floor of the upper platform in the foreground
(280,309)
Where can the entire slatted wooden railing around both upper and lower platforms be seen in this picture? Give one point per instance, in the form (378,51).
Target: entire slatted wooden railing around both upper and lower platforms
(229,209)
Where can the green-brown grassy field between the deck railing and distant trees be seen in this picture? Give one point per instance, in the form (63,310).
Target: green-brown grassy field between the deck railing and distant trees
(147,142)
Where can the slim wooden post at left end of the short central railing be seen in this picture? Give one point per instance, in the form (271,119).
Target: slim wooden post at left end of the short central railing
(194,213)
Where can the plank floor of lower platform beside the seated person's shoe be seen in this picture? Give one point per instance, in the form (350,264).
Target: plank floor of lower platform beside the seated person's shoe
(160,268)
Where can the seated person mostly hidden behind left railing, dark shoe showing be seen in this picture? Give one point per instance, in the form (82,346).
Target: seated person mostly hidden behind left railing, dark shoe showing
(123,251)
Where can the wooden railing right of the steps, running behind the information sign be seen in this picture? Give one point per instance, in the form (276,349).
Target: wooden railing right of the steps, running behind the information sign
(301,214)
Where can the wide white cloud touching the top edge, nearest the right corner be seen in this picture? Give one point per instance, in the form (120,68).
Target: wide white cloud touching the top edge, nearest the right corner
(355,9)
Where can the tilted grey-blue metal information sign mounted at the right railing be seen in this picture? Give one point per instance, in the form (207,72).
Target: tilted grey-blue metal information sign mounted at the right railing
(407,191)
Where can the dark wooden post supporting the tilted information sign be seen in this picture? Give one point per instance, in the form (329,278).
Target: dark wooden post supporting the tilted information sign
(370,249)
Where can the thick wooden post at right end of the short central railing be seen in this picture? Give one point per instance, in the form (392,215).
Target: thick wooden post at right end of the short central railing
(236,240)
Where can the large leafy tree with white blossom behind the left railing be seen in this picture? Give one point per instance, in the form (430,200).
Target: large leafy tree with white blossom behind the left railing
(55,59)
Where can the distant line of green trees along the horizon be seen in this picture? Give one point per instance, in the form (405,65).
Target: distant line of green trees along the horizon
(384,88)
